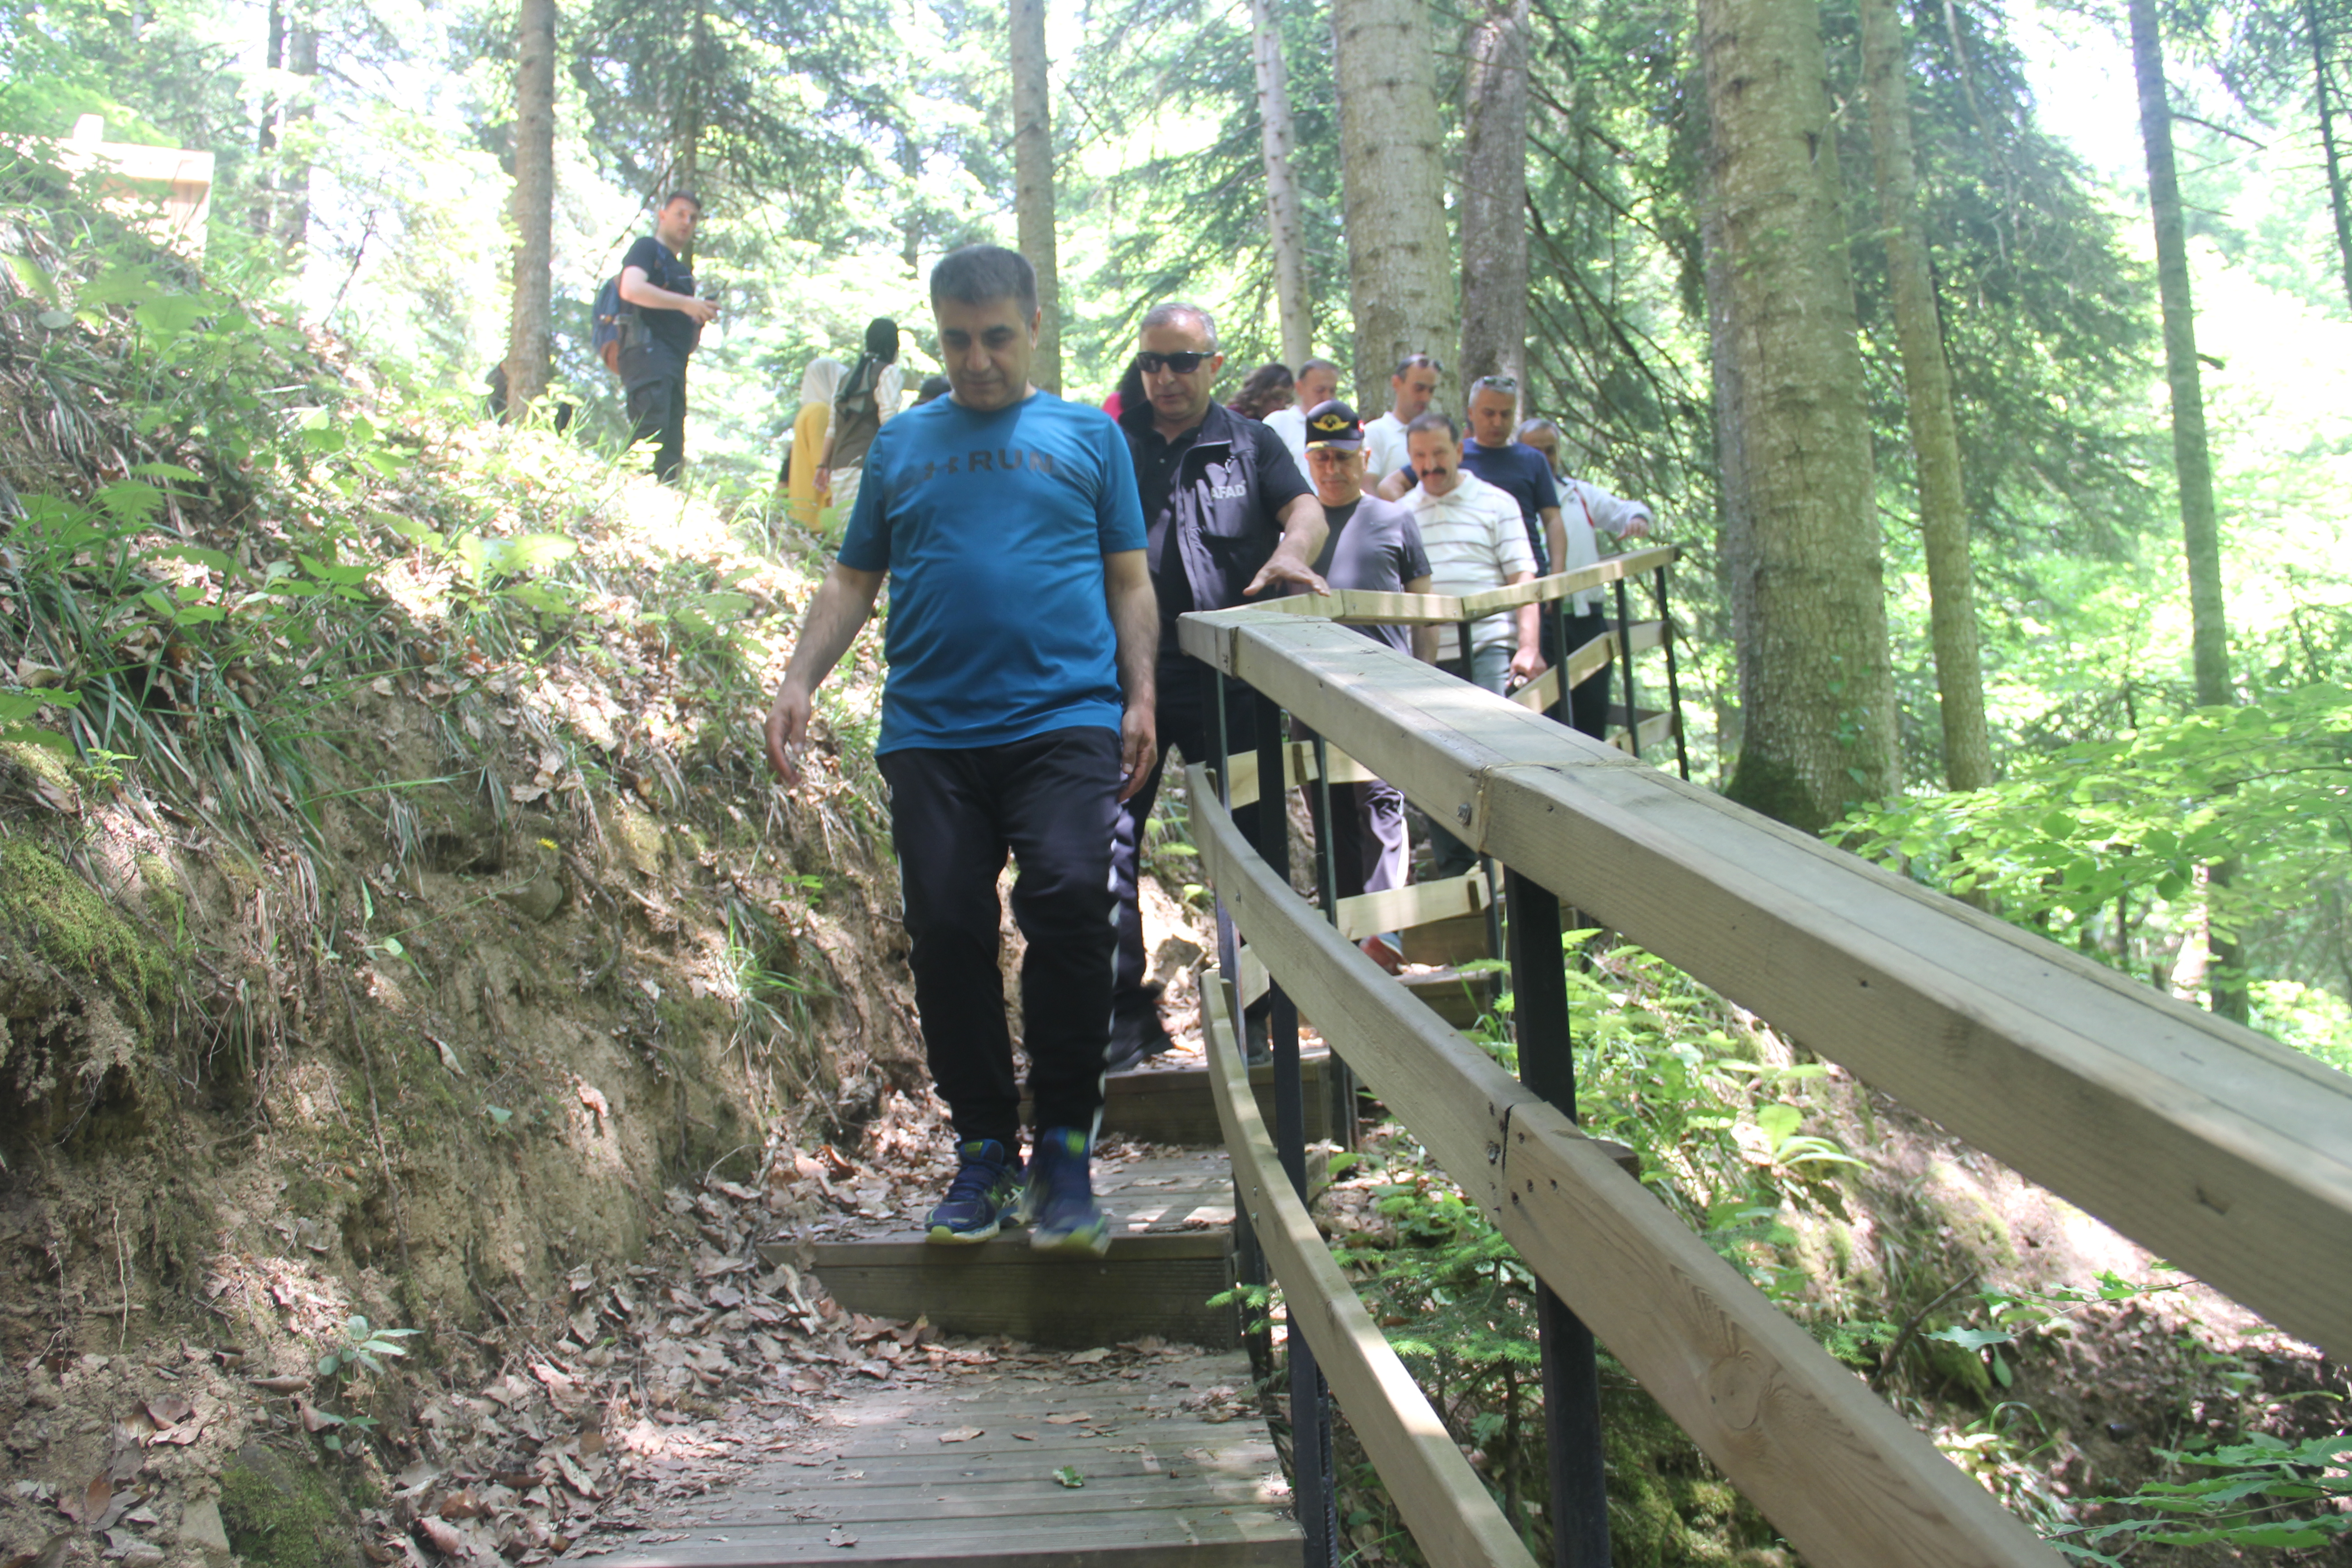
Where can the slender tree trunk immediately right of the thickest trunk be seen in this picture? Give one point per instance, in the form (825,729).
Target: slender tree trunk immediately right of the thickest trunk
(1927,382)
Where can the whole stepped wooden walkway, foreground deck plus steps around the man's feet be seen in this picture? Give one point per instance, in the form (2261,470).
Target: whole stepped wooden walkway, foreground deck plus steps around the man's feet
(1114,1423)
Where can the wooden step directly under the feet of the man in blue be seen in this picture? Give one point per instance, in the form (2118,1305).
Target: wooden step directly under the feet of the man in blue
(1170,1252)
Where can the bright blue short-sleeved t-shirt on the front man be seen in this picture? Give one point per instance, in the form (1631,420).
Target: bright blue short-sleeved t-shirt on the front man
(994,530)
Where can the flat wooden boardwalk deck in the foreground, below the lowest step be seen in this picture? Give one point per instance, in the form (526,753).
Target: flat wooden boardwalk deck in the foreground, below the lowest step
(980,1473)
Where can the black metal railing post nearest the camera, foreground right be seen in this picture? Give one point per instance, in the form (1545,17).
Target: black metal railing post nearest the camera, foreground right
(1572,1416)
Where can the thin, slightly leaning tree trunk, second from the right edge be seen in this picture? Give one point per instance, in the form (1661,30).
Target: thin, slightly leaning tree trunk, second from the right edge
(2193,457)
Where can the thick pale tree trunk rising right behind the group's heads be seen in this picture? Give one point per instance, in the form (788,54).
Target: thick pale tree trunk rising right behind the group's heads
(1401,264)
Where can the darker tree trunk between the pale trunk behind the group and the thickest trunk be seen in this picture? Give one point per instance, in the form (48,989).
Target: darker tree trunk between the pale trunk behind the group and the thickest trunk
(1495,194)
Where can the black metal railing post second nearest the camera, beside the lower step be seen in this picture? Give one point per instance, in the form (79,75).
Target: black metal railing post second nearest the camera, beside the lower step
(1311,1402)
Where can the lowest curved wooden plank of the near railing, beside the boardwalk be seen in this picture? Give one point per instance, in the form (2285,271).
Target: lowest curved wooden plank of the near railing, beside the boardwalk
(1443,1501)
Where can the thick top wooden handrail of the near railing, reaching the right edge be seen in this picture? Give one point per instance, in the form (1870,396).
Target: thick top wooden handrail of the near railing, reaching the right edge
(2203,1141)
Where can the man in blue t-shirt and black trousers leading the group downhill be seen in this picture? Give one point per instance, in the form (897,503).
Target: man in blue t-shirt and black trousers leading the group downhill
(1017,716)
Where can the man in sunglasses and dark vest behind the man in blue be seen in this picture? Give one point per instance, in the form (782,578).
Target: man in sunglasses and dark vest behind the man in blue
(1227,518)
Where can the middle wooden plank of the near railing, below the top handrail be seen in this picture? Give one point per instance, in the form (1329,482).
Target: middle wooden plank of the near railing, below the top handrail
(1831,1466)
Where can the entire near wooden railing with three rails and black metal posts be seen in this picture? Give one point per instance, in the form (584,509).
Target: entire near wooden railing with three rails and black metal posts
(2207,1144)
